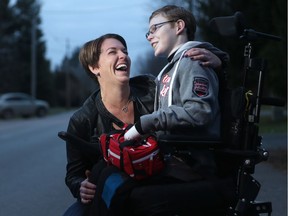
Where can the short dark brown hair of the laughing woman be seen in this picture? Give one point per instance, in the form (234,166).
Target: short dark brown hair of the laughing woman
(90,52)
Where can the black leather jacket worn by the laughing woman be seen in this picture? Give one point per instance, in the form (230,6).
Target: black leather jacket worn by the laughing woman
(93,119)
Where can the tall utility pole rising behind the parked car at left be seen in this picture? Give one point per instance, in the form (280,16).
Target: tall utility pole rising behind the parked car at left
(33,58)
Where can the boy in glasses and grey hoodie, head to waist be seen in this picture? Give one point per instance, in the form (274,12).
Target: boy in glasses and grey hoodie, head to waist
(187,93)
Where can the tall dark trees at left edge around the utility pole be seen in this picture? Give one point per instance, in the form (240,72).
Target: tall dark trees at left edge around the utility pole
(16,30)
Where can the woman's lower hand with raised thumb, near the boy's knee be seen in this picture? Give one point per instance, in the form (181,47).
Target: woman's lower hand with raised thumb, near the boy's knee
(87,190)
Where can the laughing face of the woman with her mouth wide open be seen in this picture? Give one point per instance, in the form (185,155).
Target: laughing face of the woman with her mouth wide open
(114,62)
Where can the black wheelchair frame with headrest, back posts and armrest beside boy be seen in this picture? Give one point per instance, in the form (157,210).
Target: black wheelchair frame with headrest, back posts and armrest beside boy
(249,150)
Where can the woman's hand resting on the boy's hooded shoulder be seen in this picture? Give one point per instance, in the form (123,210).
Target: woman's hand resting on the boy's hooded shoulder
(205,57)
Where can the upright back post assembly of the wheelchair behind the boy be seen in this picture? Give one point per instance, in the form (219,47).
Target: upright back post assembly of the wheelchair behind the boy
(252,150)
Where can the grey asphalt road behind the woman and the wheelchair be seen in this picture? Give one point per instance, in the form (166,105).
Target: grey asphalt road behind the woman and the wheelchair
(33,160)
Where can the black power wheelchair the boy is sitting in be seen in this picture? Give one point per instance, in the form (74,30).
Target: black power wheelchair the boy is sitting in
(240,148)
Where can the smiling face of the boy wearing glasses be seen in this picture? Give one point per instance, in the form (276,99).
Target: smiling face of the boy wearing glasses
(162,35)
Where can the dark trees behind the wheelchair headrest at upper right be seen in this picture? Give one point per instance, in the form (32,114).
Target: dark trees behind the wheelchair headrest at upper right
(270,18)
